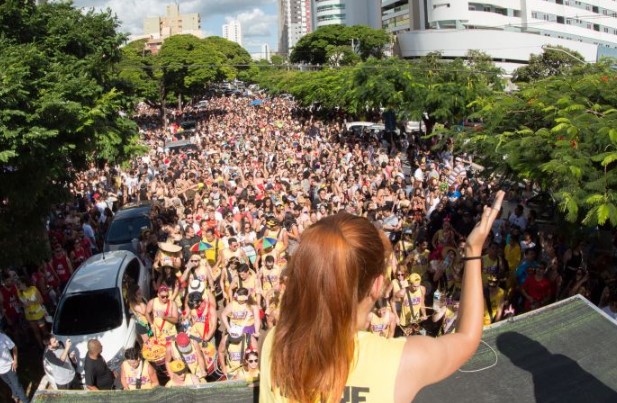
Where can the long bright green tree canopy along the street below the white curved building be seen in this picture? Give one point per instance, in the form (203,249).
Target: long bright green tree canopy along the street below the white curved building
(445,90)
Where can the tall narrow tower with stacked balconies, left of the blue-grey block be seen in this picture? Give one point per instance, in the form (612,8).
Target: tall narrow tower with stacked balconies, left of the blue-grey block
(294,22)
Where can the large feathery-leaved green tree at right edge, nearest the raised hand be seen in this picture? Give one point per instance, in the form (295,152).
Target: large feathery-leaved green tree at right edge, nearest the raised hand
(559,133)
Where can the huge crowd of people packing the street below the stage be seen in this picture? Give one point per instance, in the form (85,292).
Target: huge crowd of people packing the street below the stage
(229,211)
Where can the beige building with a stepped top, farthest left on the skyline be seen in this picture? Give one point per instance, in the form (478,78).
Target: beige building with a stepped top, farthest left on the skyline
(173,23)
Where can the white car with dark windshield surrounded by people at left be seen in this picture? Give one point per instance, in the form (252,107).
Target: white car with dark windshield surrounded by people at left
(93,306)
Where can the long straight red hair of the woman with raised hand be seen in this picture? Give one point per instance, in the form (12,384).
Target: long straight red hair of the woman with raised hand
(333,269)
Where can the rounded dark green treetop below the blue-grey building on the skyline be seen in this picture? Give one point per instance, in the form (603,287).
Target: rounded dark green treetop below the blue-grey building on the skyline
(314,47)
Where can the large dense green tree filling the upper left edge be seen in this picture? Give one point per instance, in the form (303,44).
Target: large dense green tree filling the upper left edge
(59,112)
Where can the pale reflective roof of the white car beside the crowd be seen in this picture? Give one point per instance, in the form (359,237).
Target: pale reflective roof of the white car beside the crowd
(100,272)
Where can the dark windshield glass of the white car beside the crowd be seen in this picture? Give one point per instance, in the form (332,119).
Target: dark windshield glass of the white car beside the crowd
(88,313)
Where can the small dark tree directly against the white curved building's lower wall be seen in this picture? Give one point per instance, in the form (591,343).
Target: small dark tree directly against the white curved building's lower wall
(554,61)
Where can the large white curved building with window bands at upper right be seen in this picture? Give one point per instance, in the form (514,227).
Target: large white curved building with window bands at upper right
(507,30)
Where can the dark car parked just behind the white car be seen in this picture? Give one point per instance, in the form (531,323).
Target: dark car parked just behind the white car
(126,227)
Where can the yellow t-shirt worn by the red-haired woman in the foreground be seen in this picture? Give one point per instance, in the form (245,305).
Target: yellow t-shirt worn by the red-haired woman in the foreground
(372,377)
